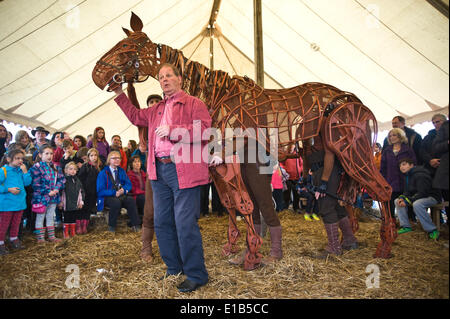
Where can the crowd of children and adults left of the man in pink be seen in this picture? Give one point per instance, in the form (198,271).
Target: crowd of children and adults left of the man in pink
(64,181)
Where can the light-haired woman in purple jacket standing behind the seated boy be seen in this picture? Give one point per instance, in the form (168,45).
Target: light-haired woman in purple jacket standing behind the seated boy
(397,149)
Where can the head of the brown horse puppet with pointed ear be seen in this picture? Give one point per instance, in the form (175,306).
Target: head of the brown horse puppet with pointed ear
(132,59)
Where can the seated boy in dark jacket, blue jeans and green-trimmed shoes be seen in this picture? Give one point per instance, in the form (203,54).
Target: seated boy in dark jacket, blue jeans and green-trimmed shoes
(420,195)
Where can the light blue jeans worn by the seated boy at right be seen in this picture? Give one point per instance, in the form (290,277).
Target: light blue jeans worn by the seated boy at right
(420,207)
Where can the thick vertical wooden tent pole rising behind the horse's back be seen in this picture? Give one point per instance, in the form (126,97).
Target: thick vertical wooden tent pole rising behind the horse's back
(259,55)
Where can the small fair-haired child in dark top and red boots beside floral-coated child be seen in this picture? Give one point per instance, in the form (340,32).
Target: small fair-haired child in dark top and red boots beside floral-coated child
(72,201)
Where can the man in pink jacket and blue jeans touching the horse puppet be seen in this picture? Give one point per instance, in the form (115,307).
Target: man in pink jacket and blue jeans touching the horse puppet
(177,170)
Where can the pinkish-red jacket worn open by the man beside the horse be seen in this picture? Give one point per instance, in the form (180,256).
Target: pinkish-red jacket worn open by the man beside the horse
(185,110)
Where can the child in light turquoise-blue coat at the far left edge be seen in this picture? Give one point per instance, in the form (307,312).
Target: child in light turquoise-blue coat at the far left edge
(13,179)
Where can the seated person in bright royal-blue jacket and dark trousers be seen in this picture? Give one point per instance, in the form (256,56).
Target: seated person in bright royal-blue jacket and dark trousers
(113,185)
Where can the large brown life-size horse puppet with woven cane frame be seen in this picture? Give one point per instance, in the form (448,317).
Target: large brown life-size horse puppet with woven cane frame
(346,127)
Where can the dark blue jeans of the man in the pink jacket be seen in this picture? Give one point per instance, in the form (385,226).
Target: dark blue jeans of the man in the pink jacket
(176,228)
